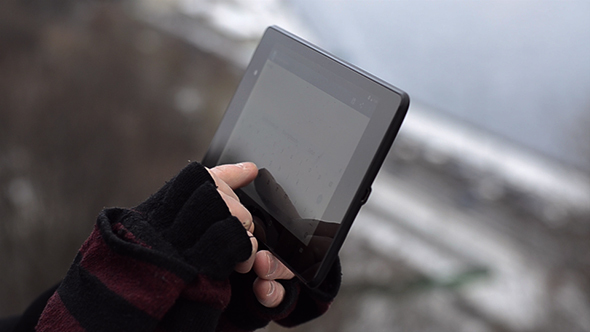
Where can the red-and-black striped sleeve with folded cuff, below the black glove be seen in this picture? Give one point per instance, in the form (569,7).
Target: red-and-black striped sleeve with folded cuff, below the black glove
(115,285)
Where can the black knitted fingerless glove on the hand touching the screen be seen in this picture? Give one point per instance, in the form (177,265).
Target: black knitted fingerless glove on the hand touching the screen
(188,220)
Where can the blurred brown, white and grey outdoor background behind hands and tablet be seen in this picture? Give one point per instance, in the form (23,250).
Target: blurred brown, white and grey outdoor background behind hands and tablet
(478,221)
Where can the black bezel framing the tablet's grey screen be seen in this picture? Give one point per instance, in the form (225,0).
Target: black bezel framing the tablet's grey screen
(368,155)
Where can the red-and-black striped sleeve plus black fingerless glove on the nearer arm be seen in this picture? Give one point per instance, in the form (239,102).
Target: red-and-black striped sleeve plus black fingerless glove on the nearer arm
(139,264)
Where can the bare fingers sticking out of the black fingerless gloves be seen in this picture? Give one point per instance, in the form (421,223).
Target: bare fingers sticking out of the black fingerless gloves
(268,268)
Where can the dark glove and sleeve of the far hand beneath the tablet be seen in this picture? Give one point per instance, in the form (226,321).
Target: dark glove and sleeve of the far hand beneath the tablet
(301,304)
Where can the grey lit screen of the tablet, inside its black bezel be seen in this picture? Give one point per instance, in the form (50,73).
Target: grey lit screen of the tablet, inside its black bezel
(301,133)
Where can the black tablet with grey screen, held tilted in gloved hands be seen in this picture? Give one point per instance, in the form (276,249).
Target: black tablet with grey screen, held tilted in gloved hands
(318,129)
